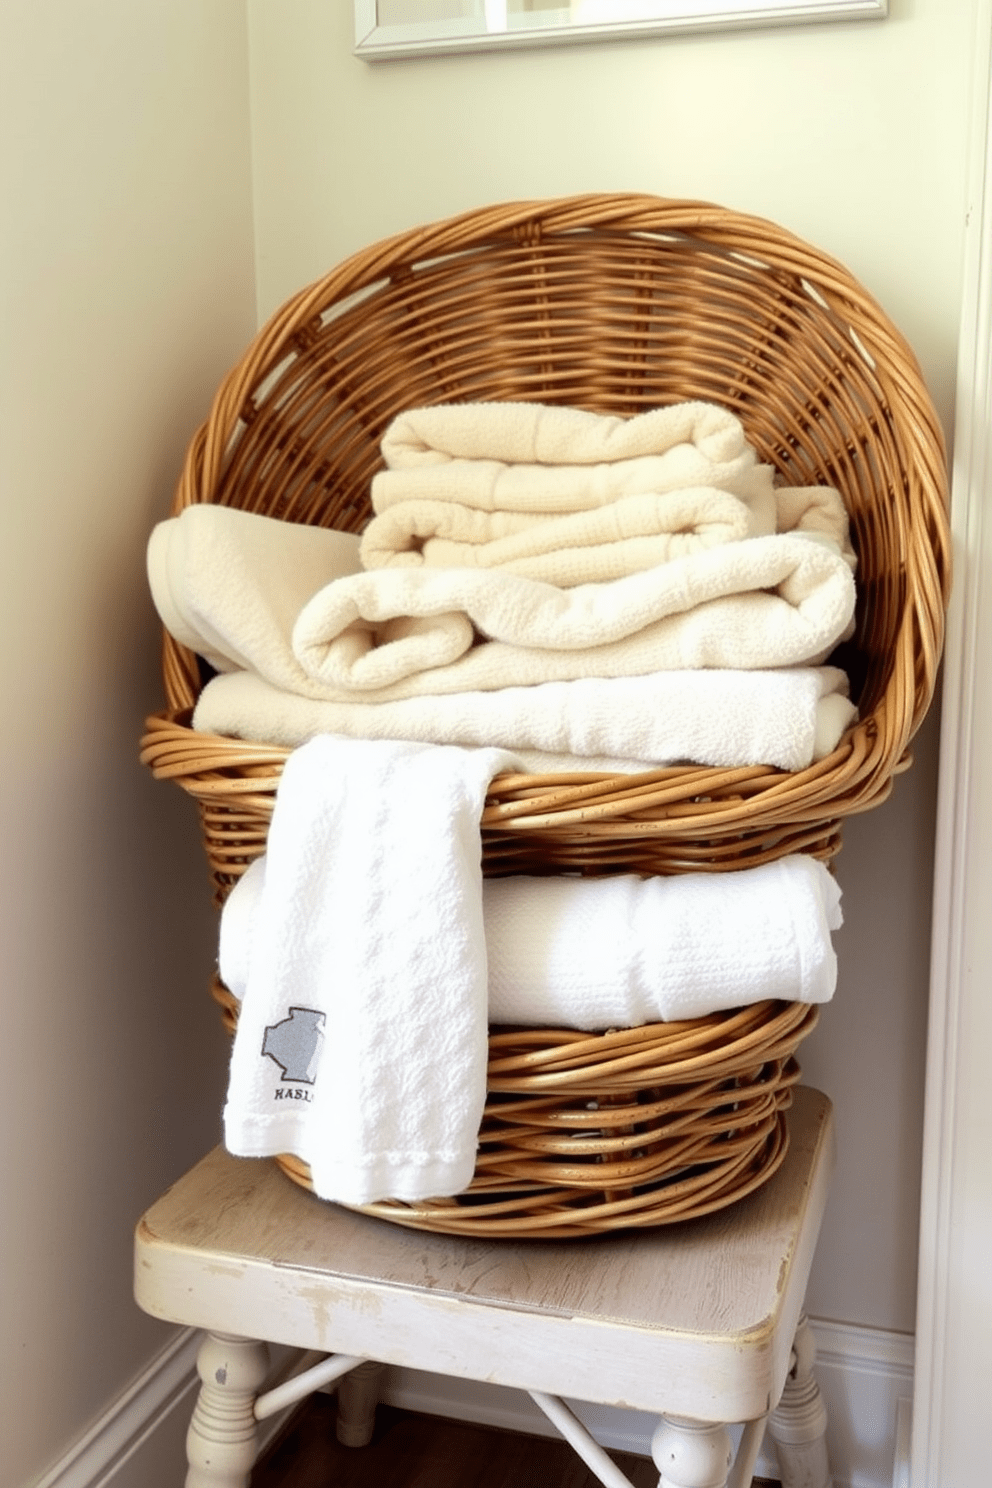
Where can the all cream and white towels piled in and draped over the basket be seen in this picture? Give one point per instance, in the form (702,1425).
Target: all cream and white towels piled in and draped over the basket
(539,590)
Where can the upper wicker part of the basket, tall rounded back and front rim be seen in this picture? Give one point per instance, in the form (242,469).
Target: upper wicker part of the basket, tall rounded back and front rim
(615,304)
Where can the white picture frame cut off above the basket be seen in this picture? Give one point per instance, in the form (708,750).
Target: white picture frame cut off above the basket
(387,29)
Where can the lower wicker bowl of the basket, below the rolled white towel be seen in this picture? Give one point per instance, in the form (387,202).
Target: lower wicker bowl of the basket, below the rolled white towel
(630,1129)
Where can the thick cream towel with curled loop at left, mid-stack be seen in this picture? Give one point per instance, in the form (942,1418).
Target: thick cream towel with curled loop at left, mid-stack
(771,602)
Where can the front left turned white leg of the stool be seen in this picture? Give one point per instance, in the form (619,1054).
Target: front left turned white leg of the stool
(221,1444)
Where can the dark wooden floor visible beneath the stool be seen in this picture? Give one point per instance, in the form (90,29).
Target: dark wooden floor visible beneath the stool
(426,1452)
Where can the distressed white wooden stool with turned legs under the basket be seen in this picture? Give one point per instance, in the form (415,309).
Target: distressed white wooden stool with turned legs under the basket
(698,1322)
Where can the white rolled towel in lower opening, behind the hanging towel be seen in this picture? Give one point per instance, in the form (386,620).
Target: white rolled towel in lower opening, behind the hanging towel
(618,953)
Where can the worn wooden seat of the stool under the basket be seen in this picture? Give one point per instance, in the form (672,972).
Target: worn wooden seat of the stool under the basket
(694,1321)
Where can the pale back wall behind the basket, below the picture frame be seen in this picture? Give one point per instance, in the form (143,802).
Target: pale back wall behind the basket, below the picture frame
(850,135)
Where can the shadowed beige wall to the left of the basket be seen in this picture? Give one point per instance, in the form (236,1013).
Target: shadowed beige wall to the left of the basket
(127,291)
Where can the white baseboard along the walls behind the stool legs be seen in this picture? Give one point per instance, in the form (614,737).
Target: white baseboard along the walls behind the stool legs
(863,1373)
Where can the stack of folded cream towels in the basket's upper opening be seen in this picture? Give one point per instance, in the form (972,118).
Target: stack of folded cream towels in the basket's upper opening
(591,593)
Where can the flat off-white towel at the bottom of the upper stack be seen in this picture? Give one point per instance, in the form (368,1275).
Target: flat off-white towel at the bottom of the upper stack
(788,718)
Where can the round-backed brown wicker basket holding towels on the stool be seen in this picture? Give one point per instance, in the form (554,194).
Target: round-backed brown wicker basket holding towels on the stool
(616,304)
